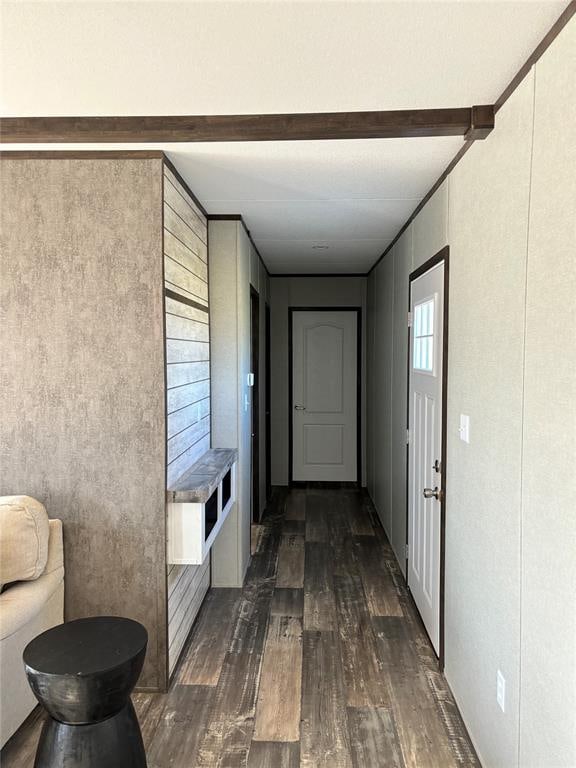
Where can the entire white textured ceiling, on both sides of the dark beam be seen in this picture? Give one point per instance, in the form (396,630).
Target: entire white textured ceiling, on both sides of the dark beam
(138,58)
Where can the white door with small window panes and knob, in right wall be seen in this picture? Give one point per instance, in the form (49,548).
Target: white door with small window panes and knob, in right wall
(425,448)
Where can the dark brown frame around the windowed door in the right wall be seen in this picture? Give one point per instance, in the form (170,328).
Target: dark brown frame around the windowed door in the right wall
(443,255)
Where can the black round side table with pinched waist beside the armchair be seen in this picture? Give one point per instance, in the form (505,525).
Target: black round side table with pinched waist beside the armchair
(82,673)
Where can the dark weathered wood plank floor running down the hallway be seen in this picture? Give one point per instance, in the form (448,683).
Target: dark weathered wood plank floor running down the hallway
(320,661)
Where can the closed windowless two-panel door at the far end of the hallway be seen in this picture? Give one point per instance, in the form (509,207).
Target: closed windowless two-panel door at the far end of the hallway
(324,395)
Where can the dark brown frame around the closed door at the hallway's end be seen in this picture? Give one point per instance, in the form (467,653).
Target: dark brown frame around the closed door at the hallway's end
(358,311)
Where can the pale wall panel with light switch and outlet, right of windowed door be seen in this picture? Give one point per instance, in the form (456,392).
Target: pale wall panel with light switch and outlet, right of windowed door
(489,194)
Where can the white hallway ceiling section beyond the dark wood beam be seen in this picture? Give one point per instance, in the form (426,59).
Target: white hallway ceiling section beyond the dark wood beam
(352,196)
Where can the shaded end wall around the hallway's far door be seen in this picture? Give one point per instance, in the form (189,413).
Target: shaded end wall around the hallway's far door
(288,292)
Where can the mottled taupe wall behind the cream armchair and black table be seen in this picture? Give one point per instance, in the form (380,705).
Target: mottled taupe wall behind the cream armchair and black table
(82,376)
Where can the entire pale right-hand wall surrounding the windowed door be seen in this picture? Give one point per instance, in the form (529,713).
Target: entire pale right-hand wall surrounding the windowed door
(508,212)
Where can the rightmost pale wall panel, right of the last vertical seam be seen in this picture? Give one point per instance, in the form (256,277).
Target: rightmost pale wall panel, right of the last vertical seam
(548,639)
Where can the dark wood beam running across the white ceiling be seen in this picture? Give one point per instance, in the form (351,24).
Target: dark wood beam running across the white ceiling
(406,123)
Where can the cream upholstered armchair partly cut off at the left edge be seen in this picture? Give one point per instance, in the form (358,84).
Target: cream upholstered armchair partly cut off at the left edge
(32,597)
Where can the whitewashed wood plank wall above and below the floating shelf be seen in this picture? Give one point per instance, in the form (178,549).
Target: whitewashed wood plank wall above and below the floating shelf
(188,381)
